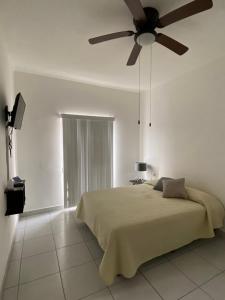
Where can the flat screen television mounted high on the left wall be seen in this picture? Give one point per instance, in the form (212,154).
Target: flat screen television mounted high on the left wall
(17,112)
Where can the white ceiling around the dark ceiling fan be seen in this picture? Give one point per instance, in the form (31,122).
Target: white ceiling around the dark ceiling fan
(51,37)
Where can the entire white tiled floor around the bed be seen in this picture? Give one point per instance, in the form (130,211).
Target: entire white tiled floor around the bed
(55,257)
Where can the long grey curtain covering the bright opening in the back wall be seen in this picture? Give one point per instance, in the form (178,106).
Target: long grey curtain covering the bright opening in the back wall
(87,155)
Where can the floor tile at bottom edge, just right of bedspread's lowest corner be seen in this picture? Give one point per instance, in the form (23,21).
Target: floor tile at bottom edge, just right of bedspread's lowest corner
(133,289)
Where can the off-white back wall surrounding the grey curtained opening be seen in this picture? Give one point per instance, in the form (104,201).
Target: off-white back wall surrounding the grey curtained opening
(40,140)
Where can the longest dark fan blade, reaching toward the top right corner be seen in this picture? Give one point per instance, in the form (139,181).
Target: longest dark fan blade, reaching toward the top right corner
(185,11)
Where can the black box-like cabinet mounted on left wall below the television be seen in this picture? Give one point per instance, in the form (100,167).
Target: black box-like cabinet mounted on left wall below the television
(15,198)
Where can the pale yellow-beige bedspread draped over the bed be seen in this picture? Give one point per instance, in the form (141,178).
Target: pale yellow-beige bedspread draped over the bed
(135,224)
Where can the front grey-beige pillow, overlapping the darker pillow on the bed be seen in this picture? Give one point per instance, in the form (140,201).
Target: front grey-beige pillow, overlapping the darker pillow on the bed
(174,188)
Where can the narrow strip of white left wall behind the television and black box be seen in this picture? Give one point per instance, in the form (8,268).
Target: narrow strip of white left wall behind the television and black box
(7,224)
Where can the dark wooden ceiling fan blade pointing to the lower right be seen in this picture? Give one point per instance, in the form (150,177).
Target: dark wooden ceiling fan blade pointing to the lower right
(171,44)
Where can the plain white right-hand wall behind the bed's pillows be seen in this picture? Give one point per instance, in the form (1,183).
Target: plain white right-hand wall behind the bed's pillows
(187,137)
